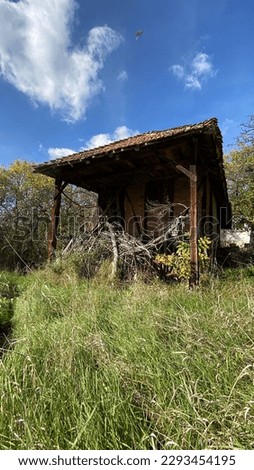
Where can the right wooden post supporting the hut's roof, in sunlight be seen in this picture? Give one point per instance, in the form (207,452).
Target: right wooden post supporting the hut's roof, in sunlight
(193,228)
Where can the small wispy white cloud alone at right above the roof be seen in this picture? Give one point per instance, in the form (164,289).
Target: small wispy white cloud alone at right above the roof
(196,72)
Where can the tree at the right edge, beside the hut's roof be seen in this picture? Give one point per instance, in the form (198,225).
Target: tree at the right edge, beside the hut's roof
(239,167)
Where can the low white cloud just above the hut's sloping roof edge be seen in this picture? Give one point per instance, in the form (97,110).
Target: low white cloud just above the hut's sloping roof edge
(98,140)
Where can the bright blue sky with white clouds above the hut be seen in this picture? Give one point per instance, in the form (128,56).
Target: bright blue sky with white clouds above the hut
(73,75)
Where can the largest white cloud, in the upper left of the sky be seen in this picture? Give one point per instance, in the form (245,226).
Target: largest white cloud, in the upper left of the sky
(37,57)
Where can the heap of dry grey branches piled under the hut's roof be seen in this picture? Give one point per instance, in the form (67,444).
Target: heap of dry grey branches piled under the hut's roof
(128,253)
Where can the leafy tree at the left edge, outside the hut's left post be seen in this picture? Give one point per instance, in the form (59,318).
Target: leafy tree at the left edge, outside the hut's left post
(24,201)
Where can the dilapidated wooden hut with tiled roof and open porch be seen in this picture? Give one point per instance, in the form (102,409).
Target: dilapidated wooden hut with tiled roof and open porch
(182,166)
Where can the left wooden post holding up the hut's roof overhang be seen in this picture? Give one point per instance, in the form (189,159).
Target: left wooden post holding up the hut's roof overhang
(52,239)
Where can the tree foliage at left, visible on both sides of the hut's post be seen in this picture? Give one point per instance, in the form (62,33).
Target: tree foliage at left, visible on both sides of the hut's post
(26,199)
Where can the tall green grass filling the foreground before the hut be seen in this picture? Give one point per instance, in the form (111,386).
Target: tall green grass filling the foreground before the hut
(141,366)
